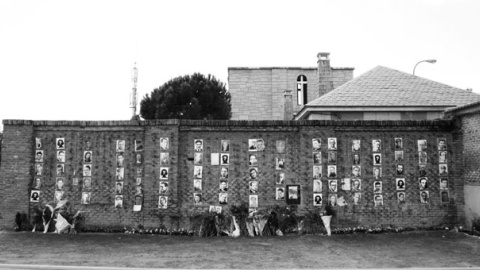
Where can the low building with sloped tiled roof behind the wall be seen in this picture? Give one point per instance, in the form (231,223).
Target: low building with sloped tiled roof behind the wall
(387,94)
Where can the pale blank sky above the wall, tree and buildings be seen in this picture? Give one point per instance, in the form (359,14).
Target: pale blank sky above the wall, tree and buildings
(72,60)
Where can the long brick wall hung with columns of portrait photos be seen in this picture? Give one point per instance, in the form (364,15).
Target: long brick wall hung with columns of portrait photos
(17,174)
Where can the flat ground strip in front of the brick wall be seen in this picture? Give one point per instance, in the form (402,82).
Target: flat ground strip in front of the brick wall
(392,250)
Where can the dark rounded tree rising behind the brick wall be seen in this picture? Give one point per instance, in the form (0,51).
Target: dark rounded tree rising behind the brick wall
(188,97)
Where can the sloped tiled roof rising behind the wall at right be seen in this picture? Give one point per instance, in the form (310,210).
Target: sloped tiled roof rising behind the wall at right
(386,87)
